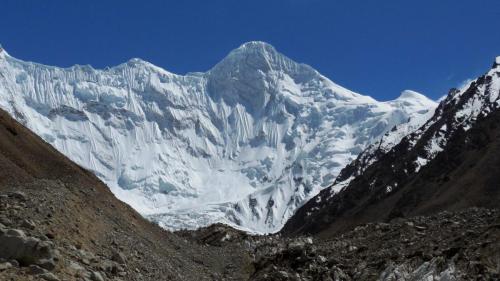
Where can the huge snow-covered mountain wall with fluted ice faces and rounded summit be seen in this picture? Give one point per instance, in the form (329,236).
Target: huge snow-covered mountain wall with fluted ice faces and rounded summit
(244,143)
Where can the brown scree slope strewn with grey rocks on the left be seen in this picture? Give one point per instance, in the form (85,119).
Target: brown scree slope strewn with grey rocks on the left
(59,222)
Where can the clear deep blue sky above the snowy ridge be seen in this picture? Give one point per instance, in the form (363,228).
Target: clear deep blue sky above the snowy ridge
(374,47)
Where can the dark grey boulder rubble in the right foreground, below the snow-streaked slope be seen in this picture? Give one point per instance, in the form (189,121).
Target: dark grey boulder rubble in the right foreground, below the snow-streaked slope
(441,247)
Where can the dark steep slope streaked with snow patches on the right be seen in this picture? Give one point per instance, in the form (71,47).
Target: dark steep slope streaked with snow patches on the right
(449,163)
